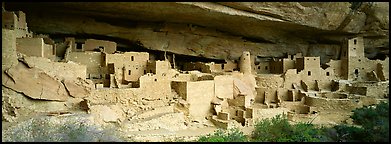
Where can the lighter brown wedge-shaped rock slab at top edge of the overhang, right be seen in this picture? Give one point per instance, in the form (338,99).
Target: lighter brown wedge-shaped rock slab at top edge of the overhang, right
(325,16)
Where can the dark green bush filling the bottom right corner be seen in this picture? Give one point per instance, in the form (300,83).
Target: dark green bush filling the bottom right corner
(373,122)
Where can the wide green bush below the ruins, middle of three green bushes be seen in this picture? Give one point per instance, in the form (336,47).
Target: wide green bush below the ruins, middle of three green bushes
(278,129)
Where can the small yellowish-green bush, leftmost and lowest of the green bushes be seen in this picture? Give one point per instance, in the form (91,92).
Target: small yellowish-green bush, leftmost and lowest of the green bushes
(231,135)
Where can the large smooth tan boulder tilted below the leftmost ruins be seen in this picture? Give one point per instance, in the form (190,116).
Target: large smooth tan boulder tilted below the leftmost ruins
(34,83)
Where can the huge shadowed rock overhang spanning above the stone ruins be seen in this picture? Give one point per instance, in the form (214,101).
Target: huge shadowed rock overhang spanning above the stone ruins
(218,30)
